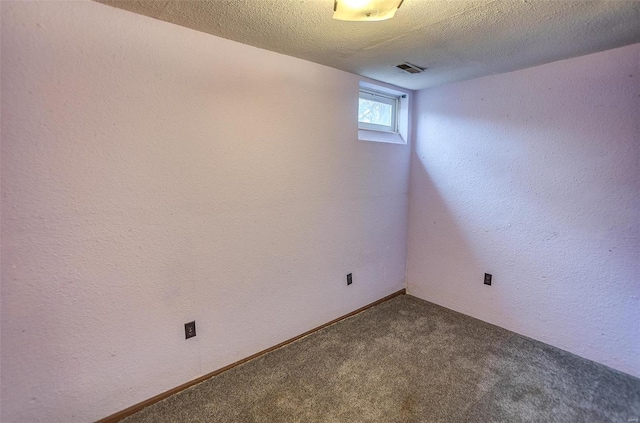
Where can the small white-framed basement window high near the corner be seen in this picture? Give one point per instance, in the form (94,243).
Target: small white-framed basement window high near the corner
(377,111)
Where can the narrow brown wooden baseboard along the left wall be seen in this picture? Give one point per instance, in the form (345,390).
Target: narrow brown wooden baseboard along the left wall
(116,417)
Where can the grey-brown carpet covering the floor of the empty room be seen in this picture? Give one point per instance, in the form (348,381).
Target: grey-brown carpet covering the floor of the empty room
(408,360)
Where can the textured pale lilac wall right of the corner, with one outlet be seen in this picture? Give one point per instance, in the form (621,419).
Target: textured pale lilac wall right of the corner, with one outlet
(534,176)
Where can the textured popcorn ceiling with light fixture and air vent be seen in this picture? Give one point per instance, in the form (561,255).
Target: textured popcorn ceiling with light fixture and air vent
(454,40)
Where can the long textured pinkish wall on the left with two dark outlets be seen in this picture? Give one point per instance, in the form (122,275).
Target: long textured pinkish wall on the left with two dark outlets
(152,175)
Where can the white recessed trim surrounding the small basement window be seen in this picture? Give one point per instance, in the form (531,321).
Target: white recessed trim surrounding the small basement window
(401,136)
